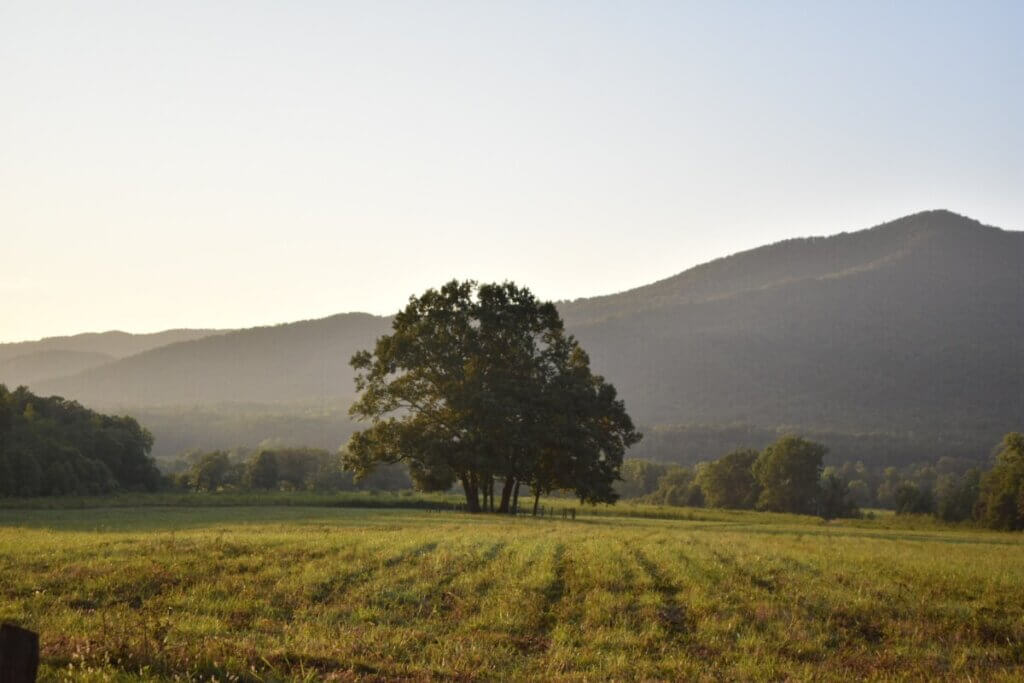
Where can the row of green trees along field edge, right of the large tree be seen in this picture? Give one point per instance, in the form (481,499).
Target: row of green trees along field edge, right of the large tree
(788,477)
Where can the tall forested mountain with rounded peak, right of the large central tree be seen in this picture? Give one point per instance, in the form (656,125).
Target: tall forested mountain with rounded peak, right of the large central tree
(917,325)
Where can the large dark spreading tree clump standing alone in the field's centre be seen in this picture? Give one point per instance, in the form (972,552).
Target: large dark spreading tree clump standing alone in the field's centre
(482,385)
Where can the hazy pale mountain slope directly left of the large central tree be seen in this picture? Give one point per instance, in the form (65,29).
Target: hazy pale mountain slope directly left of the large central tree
(286,363)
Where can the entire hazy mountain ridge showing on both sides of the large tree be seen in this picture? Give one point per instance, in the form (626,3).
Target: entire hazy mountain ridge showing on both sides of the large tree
(913,330)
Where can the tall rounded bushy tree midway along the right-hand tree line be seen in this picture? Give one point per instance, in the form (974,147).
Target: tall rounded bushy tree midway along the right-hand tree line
(789,473)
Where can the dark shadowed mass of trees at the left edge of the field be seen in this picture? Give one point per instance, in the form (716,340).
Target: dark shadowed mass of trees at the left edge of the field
(55,447)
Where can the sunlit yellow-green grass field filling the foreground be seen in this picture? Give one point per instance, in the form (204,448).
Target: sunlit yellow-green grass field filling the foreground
(307,593)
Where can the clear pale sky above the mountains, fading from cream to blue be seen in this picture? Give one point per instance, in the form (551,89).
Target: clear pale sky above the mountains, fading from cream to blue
(231,164)
